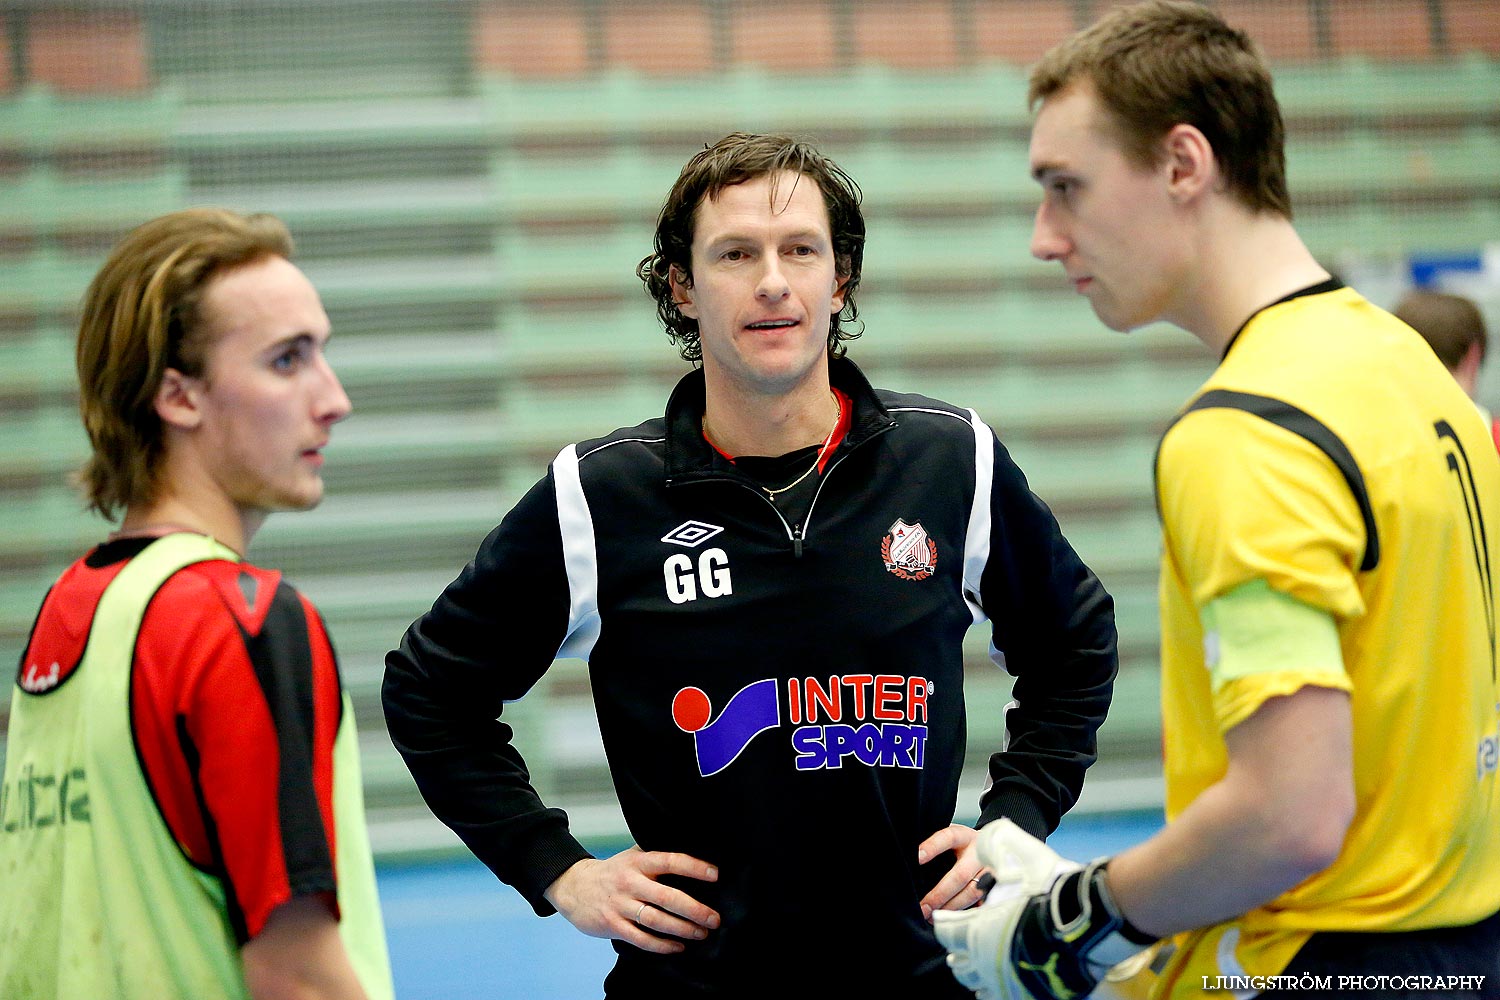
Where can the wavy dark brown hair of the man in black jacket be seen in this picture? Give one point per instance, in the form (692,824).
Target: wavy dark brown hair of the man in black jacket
(731,161)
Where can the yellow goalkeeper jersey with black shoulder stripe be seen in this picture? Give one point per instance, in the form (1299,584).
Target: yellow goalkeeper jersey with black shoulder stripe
(1336,460)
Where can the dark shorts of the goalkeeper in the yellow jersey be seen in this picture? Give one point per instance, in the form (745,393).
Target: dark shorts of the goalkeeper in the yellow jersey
(1433,965)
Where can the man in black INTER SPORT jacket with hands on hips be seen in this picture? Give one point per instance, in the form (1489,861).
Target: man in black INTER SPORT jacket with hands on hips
(770,585)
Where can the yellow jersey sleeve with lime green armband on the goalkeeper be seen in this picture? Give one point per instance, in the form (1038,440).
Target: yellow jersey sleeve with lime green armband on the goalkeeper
(1255,509)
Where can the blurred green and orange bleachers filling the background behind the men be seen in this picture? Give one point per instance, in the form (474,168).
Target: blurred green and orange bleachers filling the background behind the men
(472,184)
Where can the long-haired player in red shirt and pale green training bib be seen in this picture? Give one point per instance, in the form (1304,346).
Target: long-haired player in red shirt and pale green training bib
(182,812)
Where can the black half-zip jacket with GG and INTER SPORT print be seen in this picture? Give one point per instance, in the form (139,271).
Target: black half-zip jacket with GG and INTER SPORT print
(779,698)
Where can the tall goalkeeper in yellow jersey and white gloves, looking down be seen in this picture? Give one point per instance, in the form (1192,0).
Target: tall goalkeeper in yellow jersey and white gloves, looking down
(1331,518)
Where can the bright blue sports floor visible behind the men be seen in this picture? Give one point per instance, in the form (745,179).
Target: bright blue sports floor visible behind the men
(457,932)
